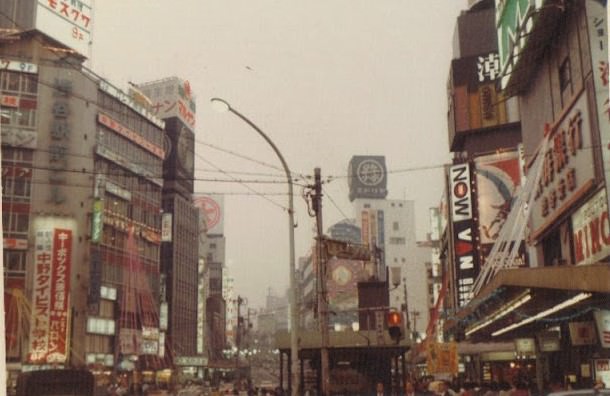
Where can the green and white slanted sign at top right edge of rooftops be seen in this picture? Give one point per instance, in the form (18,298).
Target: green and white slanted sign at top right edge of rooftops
(514,23)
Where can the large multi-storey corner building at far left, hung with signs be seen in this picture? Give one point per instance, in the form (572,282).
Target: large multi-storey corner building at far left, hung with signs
(82,182)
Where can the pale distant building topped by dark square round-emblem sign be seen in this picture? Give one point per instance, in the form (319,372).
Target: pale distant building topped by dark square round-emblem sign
(388,227)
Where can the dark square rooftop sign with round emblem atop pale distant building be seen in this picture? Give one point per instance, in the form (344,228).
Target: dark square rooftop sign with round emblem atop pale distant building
(367,177)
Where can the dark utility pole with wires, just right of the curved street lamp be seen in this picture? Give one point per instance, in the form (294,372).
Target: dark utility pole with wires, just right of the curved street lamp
(322,296)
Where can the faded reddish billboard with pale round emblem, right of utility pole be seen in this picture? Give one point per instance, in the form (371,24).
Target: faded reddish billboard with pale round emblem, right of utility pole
(343,289)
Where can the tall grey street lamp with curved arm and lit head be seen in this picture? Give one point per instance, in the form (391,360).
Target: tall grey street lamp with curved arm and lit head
(223,106)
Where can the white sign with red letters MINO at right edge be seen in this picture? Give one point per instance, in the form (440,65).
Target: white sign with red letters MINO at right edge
(591,230)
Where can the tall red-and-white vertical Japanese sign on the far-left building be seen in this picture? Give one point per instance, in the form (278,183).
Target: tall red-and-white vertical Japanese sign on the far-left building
(49,331)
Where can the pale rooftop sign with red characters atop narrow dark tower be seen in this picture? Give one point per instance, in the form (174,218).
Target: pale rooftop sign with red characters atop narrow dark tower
(172,97)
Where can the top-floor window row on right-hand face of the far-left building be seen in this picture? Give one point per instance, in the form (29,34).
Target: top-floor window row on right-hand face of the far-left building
(130,119)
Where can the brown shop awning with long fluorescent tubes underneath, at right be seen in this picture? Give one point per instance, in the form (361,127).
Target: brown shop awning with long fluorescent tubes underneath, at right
(518,298)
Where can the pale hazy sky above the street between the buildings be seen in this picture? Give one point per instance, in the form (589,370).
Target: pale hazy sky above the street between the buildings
(325,79)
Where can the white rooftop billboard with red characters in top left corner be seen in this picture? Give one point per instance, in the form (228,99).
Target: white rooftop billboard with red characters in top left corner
(69,22)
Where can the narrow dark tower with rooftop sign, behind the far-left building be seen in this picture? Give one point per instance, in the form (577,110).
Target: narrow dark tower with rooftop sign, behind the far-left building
(173,101)
